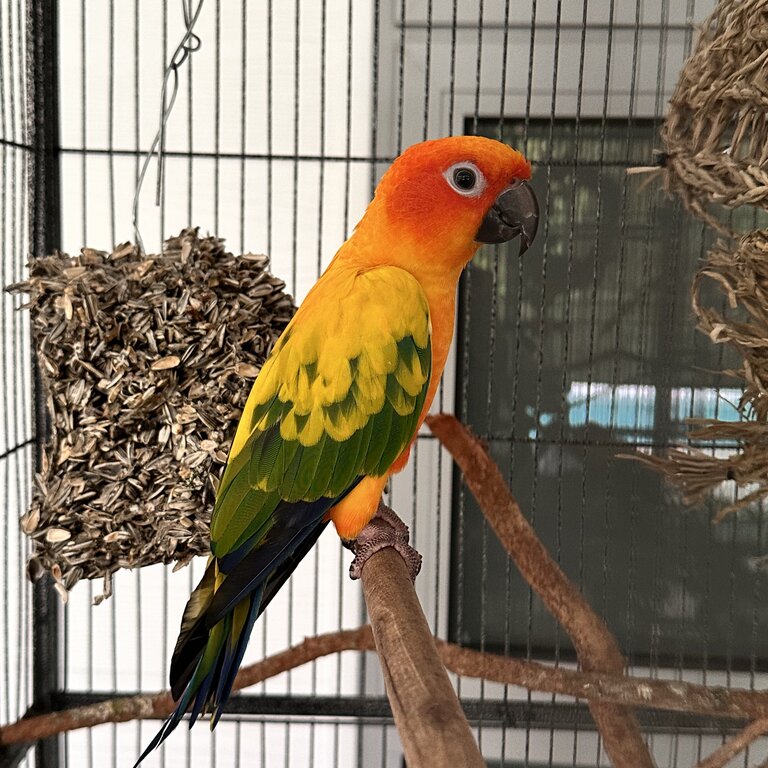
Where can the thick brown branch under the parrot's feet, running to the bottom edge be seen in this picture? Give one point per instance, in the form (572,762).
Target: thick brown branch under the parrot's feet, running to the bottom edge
(433,729)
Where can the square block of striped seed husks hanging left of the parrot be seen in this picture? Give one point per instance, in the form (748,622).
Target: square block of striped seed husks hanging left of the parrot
(147,362)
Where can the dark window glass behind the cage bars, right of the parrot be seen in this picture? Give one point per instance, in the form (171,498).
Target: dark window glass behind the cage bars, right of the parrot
(573,356)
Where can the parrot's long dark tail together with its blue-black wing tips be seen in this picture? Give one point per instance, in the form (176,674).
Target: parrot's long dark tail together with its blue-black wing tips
(206,659)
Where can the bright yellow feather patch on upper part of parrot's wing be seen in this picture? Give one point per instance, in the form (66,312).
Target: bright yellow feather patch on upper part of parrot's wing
(347,317)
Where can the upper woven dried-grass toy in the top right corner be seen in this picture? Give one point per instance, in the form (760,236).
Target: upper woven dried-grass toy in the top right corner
(716,133)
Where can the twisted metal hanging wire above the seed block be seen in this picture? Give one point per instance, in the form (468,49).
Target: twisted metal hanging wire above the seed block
(188,45)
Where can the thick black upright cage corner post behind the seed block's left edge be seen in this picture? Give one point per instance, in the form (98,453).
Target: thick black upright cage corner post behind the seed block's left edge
(45,236)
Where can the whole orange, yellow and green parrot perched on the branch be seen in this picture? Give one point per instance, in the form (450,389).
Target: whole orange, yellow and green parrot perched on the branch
(336,406)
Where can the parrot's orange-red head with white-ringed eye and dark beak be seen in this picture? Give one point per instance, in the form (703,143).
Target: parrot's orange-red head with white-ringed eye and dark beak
(447,196)
